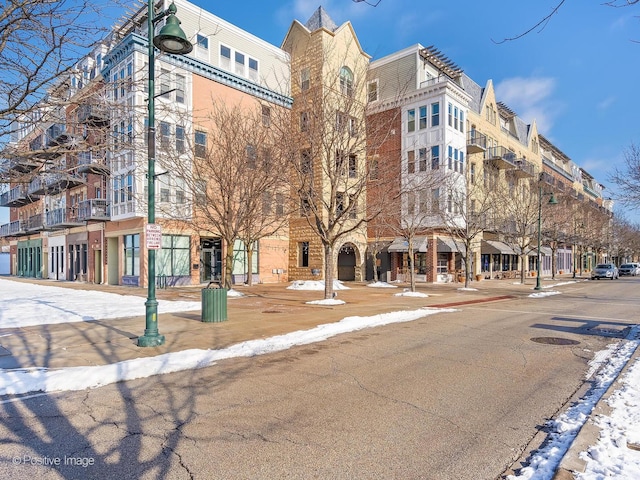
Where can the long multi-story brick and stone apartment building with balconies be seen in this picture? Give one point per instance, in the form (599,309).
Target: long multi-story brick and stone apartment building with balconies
(421,131)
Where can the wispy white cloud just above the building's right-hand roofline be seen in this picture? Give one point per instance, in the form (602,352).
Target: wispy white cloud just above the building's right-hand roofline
(531,98)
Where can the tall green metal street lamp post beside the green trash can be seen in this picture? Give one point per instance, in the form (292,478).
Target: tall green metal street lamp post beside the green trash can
(171,39)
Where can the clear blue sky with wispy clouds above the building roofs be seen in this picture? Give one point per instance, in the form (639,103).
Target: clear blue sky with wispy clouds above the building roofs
(577,76)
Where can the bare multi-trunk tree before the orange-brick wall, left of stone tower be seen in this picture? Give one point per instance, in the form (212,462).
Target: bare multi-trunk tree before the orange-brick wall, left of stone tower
(236,179)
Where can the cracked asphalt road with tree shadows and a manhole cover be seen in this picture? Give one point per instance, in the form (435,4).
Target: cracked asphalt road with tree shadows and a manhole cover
(451,396)
